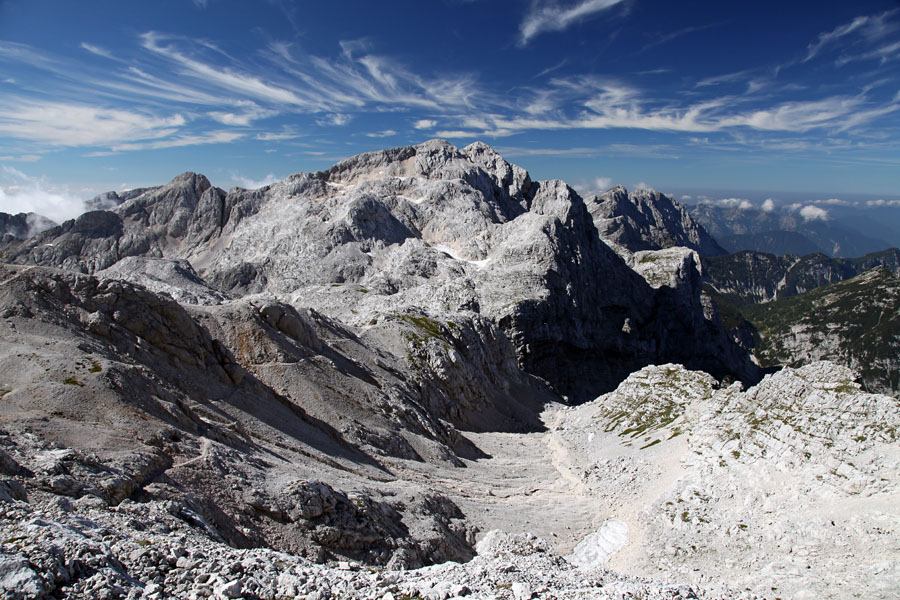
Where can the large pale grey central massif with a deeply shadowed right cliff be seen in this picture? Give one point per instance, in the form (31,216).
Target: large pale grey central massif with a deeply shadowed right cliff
(427,229)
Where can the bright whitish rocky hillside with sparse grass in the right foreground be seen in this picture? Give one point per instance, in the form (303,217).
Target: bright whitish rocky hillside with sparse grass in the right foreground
(776,486)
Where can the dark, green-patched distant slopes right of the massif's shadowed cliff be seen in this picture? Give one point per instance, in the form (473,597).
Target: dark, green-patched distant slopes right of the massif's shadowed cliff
(792,311)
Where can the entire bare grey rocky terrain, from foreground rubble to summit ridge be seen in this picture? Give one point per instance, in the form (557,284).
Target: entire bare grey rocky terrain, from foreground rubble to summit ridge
(320,386)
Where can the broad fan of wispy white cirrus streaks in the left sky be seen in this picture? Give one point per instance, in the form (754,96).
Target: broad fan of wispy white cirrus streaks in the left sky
(176,71)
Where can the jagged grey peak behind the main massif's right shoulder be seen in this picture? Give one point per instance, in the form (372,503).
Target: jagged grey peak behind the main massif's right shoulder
(647,220)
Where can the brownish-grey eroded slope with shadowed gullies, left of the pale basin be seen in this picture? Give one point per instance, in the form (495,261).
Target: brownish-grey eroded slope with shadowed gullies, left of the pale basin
(114,392)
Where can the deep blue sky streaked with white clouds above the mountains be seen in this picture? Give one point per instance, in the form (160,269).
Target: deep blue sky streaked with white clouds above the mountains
(796,96)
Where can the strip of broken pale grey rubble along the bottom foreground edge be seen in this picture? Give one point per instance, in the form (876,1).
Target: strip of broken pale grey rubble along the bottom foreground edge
(150,550)
